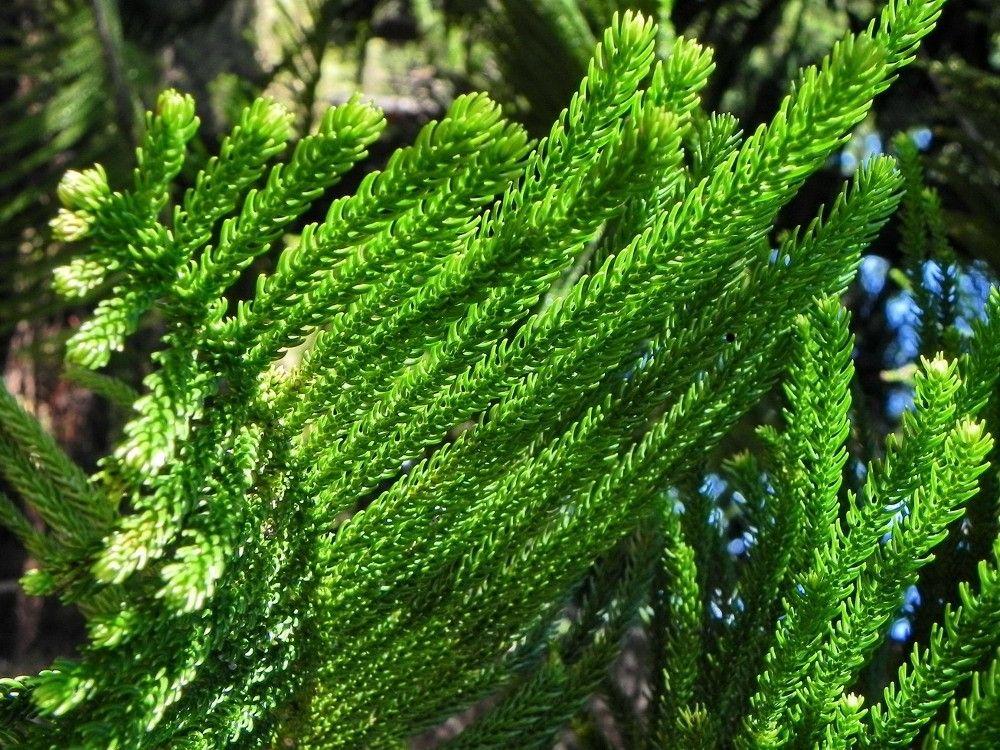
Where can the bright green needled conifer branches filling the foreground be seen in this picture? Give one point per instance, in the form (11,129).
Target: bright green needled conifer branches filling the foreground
(442,456)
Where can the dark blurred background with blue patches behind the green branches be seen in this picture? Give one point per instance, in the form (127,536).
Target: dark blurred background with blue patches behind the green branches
(76,75)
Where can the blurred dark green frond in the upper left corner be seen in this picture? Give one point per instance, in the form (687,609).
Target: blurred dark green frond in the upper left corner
(63,110)
